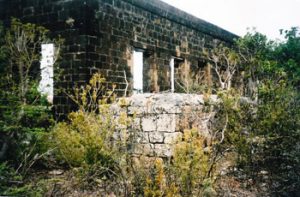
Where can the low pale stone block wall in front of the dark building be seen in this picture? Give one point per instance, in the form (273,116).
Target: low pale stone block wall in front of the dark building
(159,120)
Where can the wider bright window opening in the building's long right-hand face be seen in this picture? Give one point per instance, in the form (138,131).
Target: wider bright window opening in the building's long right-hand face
(138,62)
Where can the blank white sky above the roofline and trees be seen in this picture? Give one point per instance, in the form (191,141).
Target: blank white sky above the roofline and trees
(236,16)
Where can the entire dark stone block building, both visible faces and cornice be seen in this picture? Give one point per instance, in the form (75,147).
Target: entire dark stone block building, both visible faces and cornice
(103,36)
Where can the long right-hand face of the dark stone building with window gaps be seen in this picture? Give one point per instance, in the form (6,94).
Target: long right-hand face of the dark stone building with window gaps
(160,30)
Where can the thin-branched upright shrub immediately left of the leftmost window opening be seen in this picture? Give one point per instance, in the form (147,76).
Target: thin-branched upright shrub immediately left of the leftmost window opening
(23,42)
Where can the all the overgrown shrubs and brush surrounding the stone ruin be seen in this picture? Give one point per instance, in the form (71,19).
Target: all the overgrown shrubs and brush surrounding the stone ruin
(256,125)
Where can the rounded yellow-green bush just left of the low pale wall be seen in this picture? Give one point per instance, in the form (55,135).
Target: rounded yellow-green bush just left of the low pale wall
(86,139)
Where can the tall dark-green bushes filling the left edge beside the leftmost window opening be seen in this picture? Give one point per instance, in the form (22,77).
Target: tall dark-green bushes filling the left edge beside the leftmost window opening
(24,113)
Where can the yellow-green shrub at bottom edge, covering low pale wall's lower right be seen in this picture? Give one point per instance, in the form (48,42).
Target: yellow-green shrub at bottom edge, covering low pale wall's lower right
(191,171)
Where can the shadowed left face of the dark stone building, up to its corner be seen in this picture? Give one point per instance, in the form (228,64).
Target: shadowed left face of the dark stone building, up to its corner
(67,18)
